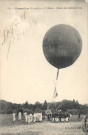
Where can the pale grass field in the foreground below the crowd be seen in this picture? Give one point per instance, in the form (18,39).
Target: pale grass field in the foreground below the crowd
(73,127)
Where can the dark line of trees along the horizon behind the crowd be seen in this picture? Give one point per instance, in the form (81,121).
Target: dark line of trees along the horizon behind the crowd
(72,107)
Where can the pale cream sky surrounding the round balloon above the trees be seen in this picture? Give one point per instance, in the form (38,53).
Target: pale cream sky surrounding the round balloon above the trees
(25,73)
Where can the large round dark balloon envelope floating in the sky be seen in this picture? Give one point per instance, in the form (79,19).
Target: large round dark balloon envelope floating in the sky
(62,45)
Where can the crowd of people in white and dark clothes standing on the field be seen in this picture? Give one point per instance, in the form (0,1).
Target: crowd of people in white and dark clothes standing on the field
(38,117)
